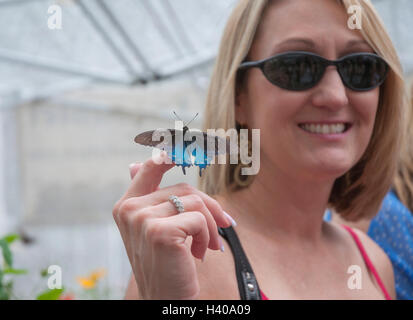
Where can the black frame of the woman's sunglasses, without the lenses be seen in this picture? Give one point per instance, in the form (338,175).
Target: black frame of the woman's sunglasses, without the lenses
(324,64)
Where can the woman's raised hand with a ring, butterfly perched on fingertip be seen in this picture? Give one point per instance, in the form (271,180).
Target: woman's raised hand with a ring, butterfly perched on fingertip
(154,233)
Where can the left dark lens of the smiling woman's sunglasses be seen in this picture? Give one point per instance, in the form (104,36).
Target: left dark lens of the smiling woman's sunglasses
(294,71)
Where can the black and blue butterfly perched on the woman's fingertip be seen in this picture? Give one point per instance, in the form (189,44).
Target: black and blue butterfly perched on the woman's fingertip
(200,150)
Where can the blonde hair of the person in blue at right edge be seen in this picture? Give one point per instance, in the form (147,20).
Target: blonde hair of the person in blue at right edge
(403,182)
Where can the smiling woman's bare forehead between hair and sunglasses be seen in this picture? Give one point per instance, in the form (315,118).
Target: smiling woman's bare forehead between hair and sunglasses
(323,22)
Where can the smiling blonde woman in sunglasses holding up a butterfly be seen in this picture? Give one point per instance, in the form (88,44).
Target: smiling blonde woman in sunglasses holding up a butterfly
(291,252)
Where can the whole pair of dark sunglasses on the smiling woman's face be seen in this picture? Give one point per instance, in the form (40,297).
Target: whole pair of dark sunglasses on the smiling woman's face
(300,70)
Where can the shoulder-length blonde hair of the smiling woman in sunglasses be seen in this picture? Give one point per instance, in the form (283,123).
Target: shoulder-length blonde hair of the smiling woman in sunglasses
(358,193)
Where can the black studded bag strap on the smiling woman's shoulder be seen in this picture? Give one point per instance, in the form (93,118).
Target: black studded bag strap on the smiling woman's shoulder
(247,283)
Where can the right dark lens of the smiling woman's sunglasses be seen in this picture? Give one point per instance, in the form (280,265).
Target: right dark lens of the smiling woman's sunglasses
(363,72)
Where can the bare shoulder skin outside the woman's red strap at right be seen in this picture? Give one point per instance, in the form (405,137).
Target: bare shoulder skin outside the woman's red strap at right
(379,259)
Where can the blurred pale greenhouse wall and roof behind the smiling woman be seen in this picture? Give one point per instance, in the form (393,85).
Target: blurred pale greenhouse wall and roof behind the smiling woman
(78,80)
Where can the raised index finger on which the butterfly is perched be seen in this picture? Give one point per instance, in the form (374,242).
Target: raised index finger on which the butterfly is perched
(149,176)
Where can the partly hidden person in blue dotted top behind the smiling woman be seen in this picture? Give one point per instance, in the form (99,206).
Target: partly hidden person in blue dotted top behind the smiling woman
(392,227)
